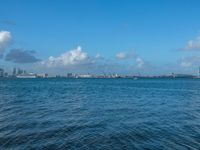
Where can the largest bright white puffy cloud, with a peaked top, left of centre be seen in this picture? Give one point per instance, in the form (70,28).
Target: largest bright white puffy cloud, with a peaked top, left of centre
(72,57)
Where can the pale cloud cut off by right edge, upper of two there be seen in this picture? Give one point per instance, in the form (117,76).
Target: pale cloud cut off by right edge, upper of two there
(193,44)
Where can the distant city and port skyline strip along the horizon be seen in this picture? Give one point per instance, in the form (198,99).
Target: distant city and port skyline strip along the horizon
(21,73)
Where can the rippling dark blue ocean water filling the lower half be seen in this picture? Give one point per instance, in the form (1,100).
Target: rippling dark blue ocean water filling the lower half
(99,114)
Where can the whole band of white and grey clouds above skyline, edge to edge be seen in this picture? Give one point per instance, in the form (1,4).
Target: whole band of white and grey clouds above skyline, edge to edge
(78,60)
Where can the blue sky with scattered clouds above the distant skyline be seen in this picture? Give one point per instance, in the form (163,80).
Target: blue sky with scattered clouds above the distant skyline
(100,36)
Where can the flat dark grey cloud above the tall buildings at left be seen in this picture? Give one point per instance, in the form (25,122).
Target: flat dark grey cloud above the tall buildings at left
(21,56)
